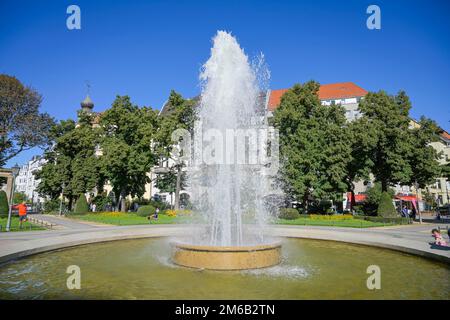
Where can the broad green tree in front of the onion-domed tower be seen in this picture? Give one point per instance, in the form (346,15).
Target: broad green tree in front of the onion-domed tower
(72,165)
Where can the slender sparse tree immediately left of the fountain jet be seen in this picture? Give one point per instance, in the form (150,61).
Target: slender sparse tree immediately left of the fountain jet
(180,115)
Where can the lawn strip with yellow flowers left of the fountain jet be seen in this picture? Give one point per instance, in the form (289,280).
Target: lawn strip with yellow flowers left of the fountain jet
(125,219)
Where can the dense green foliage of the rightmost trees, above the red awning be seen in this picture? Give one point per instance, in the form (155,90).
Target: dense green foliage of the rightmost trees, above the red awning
(400,154)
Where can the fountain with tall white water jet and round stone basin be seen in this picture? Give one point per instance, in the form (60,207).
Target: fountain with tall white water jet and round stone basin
(229,177)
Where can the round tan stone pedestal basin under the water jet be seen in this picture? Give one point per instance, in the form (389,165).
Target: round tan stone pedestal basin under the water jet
(226,258)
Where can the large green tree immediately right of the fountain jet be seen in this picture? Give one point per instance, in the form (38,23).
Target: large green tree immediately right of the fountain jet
(314,145)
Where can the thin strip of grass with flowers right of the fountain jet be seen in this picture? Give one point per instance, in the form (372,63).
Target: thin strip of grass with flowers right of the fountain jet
(347,223)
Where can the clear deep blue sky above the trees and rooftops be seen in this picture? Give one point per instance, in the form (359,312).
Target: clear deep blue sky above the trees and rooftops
(146,48)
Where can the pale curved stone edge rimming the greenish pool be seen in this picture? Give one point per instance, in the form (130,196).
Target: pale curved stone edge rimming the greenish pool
(20,246)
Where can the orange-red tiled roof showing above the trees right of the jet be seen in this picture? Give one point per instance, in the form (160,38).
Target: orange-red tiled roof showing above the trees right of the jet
(327,91)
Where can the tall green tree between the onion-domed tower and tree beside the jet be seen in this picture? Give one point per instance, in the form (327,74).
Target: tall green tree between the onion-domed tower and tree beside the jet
(127,153)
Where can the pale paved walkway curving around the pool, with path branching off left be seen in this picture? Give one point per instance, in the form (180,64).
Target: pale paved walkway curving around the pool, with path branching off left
(414,239)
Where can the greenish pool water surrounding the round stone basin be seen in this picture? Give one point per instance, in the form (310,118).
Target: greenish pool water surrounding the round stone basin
(141,269)
